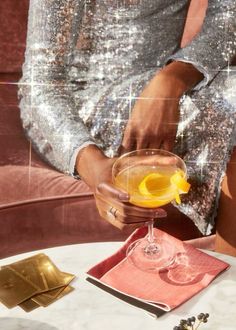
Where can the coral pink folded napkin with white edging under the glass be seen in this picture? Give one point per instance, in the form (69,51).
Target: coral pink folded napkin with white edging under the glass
(166,289)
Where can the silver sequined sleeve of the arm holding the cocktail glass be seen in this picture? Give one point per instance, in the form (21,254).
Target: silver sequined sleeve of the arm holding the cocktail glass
(47,103)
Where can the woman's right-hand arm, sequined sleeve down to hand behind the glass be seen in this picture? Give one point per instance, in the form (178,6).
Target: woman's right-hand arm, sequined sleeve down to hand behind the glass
(155,116)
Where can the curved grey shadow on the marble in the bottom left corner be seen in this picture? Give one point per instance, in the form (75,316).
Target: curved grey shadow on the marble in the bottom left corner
(8,323)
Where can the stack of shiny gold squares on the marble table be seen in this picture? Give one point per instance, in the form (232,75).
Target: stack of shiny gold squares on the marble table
(33,282)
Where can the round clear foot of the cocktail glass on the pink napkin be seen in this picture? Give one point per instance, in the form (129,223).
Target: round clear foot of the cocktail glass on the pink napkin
(151,257)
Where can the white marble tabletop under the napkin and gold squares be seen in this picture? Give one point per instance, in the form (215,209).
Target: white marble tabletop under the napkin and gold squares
(90,308)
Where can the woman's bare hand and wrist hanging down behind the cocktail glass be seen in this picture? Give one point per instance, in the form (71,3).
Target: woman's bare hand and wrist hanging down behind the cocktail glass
(155,116)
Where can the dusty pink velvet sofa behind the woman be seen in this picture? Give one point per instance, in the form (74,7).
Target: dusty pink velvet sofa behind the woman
(40,207)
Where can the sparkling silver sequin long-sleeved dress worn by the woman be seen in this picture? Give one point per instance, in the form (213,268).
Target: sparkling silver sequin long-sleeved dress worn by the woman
(74,96)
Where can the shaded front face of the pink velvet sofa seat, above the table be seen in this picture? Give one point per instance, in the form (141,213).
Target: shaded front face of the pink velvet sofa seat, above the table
(52,222)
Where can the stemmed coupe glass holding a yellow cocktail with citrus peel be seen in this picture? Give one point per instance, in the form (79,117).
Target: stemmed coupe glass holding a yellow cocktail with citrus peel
(153,178)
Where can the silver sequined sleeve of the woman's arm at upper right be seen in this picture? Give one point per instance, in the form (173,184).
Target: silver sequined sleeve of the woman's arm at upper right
(215,46)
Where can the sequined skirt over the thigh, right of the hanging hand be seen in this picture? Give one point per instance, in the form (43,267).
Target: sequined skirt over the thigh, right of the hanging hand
(206,135)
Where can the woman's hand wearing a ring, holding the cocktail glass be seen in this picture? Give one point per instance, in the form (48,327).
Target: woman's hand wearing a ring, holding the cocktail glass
(112,203)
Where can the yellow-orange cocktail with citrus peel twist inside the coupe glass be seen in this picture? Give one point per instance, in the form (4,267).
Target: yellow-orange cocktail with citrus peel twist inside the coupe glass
(152,186)
